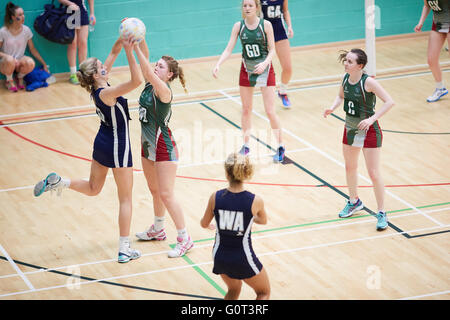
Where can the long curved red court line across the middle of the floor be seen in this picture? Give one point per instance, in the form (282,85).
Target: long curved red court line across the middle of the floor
(222,180)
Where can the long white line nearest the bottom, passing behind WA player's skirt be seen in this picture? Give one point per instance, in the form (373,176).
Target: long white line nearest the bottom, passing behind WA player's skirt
(69,285)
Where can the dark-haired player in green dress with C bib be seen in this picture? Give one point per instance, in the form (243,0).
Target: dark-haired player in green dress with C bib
(361,131)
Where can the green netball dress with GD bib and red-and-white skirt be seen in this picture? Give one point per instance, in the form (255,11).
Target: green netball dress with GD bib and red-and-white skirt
(254,51)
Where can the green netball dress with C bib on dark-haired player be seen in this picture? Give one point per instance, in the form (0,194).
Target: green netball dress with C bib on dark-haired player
(359,105)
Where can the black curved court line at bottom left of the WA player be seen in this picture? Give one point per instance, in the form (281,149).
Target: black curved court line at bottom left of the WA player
(187,295)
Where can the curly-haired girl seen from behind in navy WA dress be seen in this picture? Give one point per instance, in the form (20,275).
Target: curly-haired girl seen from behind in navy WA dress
(235,210)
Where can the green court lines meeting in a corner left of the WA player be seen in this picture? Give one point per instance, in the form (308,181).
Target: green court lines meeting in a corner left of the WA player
(223,292)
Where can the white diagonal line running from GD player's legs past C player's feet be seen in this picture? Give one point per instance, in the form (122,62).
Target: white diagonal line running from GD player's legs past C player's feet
(331,158)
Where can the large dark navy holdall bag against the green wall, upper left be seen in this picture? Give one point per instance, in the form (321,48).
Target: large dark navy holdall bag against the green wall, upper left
(56,24)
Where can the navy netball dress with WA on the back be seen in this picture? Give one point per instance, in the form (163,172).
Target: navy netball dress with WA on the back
(233,252)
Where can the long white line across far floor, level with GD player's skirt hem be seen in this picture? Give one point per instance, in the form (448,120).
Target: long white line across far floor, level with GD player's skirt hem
(131,101)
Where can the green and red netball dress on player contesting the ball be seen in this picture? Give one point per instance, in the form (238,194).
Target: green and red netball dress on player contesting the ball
(156,138)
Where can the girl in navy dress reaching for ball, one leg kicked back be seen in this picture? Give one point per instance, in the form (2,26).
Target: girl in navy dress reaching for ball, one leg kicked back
(112,143)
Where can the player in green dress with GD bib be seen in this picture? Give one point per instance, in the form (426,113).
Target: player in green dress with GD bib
(258,48)
